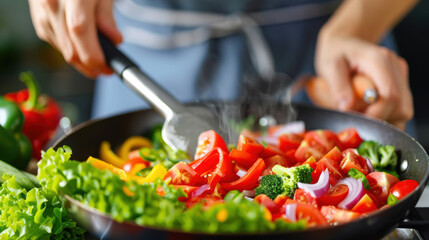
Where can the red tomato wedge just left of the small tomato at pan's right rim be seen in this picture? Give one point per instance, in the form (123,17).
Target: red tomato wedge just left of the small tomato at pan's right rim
(380,183)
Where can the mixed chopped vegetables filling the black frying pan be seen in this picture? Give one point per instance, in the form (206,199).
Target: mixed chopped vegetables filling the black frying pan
(276,182)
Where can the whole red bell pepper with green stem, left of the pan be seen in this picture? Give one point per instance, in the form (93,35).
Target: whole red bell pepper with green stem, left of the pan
(42,114)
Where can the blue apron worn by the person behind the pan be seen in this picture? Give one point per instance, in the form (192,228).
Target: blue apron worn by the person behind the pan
(207,50)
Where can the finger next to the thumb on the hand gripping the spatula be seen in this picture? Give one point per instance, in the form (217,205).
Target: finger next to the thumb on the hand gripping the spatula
(81,26)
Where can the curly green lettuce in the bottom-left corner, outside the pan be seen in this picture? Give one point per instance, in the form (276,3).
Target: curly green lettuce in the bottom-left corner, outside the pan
(33,214)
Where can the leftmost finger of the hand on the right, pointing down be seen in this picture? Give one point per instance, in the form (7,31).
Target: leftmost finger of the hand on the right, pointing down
(337,74)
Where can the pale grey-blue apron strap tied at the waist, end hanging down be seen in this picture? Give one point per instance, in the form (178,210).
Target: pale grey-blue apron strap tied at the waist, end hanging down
(205,26)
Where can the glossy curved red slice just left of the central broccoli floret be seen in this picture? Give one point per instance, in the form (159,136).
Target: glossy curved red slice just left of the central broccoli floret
(249,179)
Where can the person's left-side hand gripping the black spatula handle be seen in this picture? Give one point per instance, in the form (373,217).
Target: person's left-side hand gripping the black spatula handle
(71,27)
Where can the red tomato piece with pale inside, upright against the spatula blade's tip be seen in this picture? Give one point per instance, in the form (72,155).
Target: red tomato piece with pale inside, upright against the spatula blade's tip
(207,141)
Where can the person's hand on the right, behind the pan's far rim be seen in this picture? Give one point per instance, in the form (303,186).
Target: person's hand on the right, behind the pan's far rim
(340,56)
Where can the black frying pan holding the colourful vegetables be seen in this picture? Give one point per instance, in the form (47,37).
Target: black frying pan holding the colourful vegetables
(86,138)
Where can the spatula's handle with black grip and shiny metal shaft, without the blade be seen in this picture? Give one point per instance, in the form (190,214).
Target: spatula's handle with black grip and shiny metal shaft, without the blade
(162,101)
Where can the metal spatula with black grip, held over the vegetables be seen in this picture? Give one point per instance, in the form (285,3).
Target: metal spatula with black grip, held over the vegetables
(183,123)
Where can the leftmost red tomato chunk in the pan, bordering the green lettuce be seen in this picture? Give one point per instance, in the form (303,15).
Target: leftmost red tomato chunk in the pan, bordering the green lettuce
(182,174)
